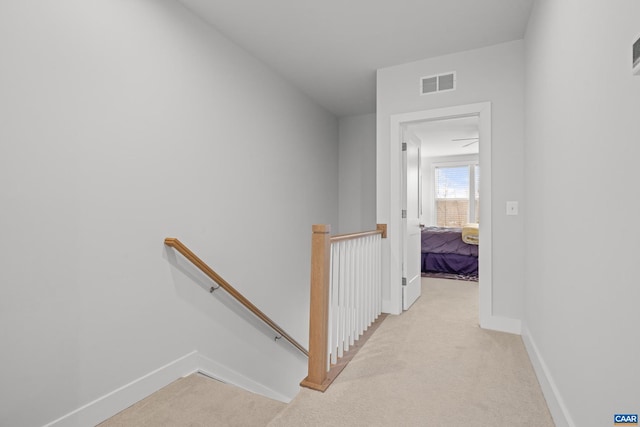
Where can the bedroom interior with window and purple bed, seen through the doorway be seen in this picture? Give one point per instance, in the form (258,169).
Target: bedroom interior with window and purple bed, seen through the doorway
(450,196)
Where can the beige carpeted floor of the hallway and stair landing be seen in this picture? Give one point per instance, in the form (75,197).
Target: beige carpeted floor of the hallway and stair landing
(431,366)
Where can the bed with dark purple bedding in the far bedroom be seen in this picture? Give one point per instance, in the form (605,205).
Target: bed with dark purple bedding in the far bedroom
(444,251)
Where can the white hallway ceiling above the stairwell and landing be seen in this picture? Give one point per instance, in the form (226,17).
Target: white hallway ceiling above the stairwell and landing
(330,49)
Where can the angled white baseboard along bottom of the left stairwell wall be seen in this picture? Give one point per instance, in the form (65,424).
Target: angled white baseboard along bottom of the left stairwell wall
(111,403)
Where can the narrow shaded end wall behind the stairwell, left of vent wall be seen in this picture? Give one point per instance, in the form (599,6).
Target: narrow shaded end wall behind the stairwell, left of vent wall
(357,173)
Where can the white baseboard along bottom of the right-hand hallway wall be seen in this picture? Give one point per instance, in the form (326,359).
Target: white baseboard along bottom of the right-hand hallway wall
(559,411)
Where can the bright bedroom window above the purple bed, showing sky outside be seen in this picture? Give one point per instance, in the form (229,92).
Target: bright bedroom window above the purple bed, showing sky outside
(457,197)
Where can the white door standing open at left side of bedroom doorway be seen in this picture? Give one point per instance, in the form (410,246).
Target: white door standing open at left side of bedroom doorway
(411,222)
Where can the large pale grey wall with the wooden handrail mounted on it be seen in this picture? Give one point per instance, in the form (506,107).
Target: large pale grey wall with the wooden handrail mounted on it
(124,122)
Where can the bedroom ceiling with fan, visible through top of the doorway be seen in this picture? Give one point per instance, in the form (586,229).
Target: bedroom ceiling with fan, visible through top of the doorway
(442,137)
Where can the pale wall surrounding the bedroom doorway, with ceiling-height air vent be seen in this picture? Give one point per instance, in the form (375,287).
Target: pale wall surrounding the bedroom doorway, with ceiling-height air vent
(494,74)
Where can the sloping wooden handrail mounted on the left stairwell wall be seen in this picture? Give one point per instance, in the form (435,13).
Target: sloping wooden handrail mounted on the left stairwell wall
(180,247)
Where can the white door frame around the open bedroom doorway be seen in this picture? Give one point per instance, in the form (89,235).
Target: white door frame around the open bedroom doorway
(483,111)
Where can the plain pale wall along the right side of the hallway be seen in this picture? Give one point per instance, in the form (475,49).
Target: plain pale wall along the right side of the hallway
(582,150)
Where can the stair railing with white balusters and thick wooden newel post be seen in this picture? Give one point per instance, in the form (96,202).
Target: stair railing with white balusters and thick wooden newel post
(346,298)
